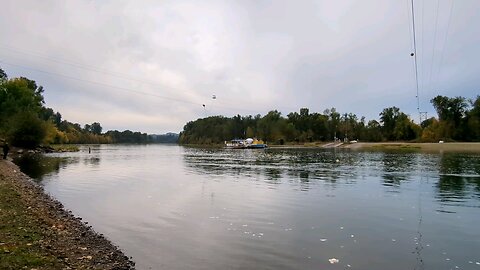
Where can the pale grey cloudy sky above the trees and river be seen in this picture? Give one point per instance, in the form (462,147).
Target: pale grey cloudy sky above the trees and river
(151,65)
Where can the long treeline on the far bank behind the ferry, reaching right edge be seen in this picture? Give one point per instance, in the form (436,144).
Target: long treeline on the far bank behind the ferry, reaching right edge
(458,120)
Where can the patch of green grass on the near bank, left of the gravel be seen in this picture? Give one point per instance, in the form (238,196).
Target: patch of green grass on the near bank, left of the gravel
(20,236)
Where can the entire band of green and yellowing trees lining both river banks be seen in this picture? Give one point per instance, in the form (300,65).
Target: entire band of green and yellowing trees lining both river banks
(27,122)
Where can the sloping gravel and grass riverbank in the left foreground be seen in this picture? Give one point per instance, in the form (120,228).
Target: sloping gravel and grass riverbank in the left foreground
(36,232)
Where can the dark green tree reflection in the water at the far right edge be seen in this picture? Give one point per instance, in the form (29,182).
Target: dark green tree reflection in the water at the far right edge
(459,178)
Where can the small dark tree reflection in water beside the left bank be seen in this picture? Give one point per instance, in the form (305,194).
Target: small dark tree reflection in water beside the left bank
(37,165)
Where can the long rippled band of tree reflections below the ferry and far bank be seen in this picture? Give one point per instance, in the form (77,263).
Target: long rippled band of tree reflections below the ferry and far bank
(458,174)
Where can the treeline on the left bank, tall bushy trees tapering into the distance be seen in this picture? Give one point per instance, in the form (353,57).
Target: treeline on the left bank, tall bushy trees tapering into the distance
(25,121)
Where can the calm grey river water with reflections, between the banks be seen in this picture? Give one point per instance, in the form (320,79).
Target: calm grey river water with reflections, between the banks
(173,207)
